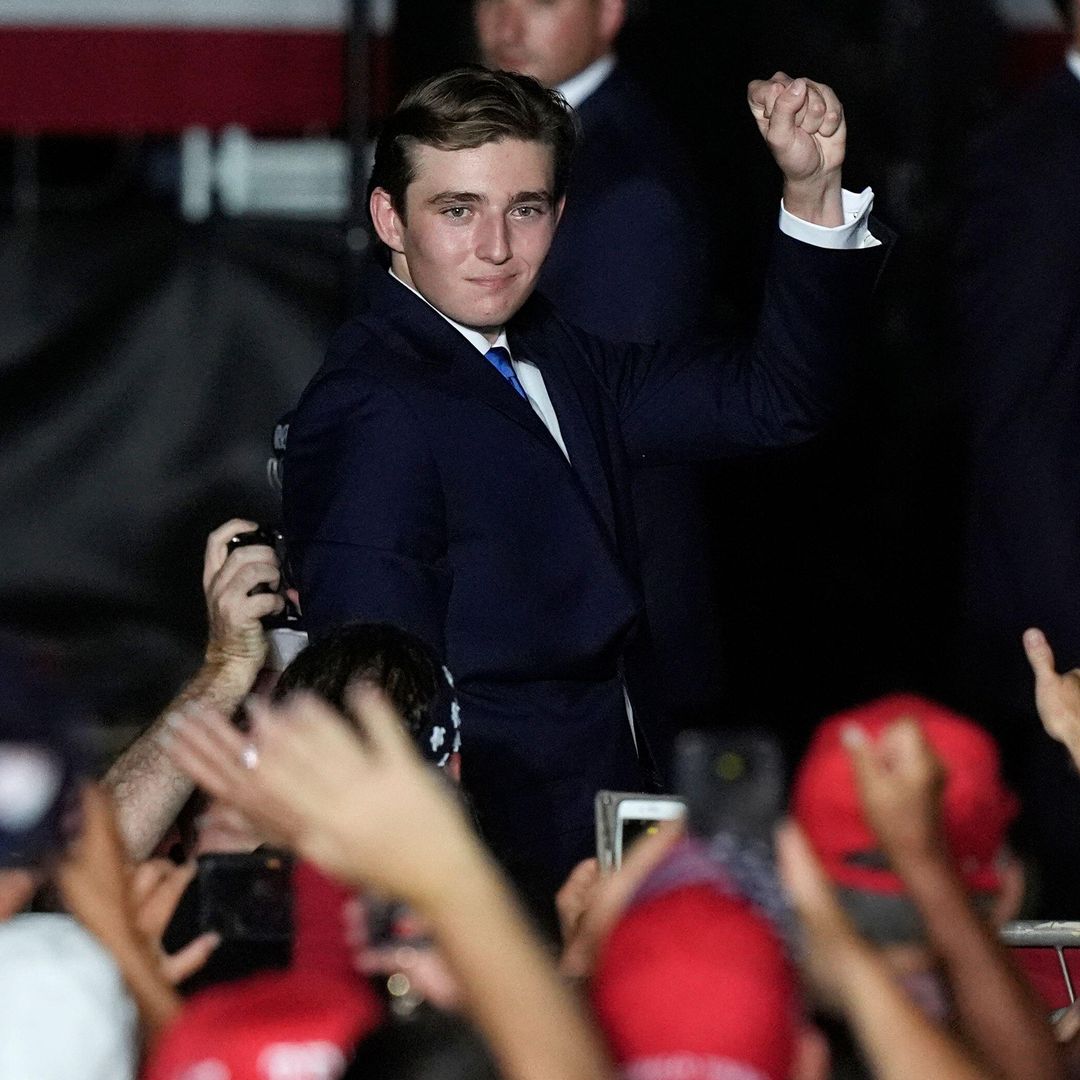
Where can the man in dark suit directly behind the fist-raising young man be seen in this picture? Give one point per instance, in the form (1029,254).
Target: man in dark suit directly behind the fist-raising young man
(629,263)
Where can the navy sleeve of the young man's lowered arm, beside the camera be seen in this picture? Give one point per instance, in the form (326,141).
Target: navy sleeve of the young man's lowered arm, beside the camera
(364,511)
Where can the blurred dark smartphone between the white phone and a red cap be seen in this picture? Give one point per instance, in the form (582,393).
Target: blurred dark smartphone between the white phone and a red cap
(732,781)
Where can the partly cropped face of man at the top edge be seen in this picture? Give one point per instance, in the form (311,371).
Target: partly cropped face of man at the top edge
(550,40)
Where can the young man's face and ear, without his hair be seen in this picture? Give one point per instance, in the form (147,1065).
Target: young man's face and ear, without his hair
(477,229)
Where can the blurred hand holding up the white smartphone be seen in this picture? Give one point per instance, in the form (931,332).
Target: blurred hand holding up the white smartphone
(590,902)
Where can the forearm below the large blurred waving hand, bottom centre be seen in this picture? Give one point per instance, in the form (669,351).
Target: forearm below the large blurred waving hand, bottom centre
(506,976)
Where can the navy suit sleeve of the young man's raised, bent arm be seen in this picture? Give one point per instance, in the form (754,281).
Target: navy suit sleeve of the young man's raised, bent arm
(700,400)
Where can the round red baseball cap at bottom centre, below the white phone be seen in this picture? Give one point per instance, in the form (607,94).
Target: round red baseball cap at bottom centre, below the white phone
(694,984)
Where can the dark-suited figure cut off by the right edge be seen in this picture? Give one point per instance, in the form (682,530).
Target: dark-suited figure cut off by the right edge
(1019,292)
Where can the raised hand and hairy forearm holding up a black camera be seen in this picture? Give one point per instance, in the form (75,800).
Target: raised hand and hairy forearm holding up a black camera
(148,789)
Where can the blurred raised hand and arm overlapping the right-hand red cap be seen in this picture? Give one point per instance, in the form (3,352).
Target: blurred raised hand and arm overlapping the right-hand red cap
(900,784)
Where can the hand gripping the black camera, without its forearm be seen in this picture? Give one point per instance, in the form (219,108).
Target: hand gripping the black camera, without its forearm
(240,583)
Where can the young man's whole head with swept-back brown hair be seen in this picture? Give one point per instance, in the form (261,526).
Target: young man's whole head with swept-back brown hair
(467,191)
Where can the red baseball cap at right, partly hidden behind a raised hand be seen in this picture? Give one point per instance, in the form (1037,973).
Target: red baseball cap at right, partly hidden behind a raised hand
(978,808)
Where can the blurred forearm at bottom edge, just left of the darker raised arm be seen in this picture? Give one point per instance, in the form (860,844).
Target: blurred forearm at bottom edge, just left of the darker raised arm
(899,1041)
